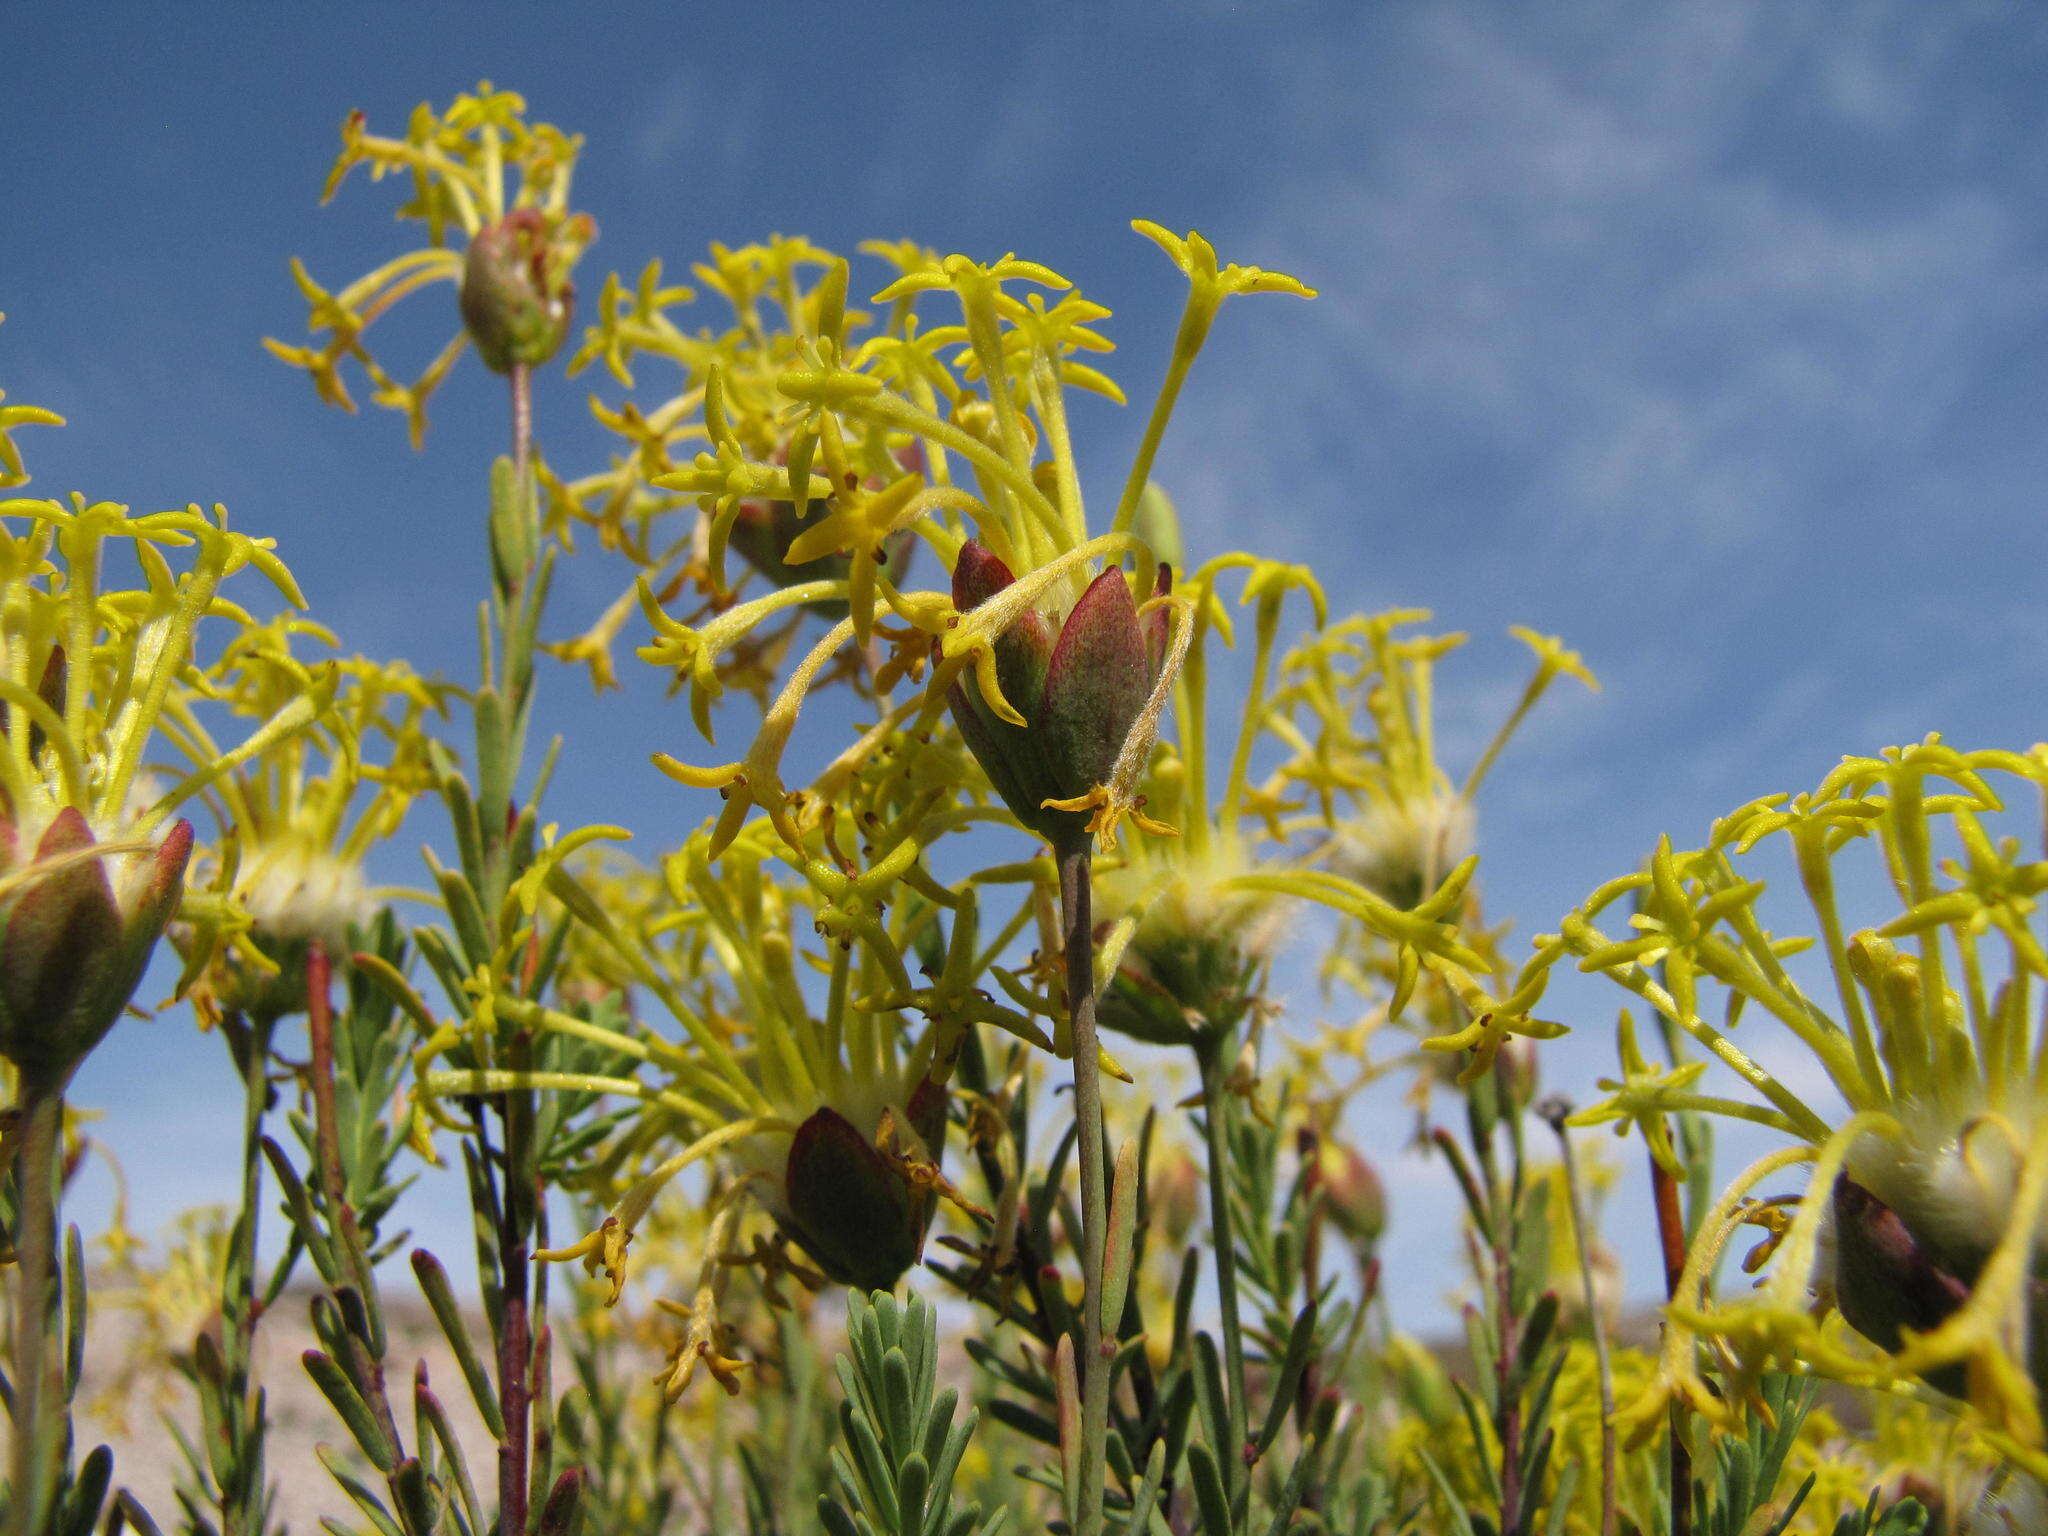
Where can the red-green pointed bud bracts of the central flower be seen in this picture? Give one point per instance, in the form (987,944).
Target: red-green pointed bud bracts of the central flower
(1080,691)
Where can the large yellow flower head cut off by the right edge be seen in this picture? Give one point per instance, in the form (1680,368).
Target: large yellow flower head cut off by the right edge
(1922,1220)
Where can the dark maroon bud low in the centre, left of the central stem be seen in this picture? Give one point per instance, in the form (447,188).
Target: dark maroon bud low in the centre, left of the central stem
(853,1205)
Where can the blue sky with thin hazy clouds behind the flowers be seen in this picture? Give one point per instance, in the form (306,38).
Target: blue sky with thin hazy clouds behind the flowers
(1709,337)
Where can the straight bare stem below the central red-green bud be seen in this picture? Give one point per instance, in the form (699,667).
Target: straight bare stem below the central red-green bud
(1078,927)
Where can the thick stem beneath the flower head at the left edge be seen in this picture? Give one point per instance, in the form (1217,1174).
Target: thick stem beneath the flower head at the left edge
(38,1388)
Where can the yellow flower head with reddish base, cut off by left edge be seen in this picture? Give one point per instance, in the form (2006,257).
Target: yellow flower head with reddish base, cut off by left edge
(91,859)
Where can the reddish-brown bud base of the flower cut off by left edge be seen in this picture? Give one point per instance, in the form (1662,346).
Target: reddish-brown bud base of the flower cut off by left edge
(77,941)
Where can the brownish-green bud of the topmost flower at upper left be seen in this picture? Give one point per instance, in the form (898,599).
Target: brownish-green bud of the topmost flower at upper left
(517,296)
